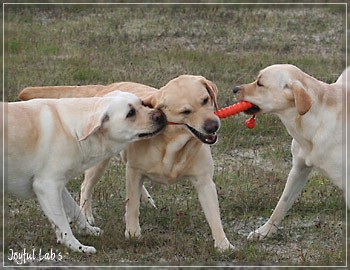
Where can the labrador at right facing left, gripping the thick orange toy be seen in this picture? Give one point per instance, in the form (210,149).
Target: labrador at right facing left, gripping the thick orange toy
(311,110)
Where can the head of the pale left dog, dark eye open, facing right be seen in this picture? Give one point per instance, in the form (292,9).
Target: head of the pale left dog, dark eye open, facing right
(121,117)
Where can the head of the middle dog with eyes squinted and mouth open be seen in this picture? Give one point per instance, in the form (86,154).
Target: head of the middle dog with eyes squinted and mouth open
(190,100)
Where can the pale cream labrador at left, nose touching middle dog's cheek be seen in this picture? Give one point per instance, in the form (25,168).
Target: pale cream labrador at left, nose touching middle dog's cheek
(51,141)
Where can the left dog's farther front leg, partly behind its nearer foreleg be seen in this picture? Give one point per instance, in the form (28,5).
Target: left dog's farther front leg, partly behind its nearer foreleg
(75,215)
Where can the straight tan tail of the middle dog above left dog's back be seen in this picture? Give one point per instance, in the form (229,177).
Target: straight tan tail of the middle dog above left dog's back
(60,91)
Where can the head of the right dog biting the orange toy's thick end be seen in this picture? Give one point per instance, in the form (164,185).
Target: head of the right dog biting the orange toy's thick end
(276,89)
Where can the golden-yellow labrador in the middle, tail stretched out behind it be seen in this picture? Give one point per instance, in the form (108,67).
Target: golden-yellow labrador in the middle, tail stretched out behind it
(181,151)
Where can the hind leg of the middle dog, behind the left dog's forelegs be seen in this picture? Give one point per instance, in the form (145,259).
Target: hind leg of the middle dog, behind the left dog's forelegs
(92,175)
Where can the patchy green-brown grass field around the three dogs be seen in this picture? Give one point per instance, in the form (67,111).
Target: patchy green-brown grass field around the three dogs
(229,44)
